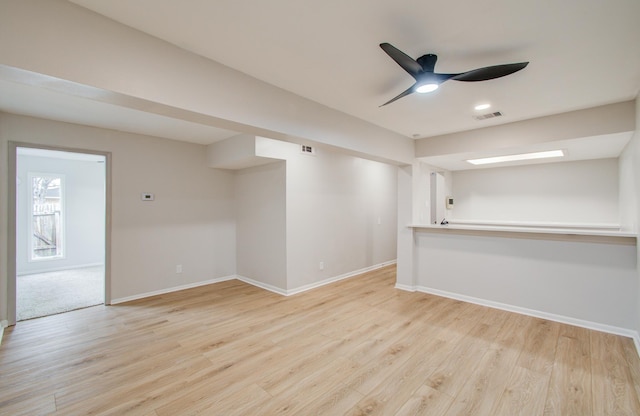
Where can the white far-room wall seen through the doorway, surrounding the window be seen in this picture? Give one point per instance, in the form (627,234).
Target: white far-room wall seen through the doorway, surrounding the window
(83,211)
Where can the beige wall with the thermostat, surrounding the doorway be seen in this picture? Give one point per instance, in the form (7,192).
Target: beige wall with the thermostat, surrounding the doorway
(191,222)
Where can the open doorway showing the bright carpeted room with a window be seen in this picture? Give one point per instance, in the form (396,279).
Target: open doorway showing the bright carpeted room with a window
(60,231)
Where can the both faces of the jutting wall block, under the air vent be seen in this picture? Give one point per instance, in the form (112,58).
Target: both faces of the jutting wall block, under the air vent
(340,211)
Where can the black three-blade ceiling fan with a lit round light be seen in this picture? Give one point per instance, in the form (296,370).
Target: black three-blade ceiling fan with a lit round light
(422,70)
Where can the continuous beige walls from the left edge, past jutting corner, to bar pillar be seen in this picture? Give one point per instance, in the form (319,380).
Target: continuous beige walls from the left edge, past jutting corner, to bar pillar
(272,223)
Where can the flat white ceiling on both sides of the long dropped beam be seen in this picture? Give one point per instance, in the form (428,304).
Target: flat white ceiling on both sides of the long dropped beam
(582,53)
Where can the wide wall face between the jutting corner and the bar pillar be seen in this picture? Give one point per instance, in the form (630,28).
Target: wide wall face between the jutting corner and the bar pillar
(341,211)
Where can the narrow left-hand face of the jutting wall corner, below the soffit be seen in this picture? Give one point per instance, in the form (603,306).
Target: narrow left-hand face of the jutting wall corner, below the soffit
(260,198)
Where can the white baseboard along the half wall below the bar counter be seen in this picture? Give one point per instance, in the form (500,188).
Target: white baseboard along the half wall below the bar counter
(530,312)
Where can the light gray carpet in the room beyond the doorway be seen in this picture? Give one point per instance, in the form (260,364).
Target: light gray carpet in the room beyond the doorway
(56,292)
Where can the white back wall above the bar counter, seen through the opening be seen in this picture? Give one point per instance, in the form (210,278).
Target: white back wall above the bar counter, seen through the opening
(569,192)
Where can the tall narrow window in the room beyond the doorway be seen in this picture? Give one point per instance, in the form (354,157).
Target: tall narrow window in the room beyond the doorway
(46,219)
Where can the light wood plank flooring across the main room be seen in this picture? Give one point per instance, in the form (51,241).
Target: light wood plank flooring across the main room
(355,347)
